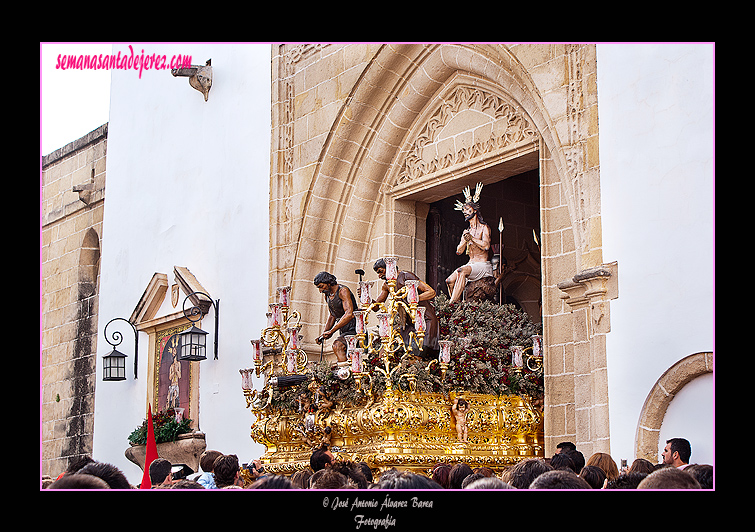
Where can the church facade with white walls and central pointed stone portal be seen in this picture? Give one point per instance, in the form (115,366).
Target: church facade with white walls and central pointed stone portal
(369,144)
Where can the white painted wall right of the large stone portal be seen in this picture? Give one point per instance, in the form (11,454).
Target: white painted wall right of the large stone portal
(656,112)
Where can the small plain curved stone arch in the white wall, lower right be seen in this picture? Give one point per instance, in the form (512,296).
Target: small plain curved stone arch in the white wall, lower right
(658,400)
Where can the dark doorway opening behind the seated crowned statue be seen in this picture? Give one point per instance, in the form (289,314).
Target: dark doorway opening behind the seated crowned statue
(516,200)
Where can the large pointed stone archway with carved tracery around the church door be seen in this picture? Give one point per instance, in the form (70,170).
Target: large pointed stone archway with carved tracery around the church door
(396,141)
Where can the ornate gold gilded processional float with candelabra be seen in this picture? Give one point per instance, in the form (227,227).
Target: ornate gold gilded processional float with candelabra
(385,414)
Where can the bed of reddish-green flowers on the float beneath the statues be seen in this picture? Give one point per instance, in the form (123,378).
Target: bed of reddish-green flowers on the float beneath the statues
(481,362)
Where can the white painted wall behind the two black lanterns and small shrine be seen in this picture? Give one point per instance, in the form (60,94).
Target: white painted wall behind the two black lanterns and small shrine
(187,185)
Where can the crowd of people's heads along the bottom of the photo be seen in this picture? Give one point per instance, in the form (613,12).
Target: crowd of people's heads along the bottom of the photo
(567,469)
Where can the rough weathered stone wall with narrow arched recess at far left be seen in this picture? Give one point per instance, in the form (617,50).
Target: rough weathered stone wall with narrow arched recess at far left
(73,186)
